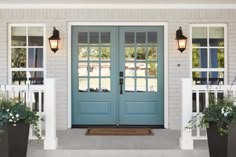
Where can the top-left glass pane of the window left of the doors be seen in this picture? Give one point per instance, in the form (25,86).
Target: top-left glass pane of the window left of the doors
(18,36)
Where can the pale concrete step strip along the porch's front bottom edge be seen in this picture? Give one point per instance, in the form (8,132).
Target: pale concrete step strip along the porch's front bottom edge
(118,153)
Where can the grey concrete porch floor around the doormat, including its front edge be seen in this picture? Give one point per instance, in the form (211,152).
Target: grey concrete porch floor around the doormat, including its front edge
(74,142)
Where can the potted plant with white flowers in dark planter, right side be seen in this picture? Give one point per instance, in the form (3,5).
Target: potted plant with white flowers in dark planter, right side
(220,120)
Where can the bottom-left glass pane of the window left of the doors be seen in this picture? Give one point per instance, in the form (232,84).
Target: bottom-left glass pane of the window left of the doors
(19,77)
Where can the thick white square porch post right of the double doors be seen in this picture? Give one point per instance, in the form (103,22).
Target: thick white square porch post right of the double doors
(186,140)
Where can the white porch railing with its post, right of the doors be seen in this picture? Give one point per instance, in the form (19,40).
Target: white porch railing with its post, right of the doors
(194,99)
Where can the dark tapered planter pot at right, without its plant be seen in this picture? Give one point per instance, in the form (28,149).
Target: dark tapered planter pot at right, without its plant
(221,145)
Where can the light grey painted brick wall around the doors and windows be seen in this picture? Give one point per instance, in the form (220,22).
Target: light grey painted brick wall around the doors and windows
(57,63)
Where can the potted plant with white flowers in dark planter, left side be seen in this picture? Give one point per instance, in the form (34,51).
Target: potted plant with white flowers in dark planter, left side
(15,119)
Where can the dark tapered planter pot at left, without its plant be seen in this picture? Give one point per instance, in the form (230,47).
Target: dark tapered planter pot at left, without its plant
(14,140)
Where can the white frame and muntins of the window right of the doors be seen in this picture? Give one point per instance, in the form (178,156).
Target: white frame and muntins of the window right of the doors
(225,69)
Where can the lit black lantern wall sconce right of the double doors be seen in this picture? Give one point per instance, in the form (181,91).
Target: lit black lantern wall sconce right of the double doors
(181,40)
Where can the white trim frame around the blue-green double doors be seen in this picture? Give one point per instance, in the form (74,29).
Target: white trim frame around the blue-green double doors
(165,24)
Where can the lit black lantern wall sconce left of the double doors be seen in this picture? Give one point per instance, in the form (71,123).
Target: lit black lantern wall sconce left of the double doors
(54,40)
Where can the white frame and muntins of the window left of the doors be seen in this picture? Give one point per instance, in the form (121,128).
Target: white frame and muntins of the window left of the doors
(27,25)
